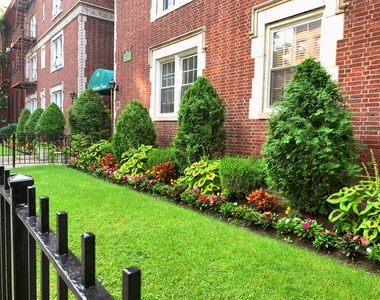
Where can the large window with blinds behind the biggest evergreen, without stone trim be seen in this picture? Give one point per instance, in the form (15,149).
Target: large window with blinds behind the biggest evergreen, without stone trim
(290,46)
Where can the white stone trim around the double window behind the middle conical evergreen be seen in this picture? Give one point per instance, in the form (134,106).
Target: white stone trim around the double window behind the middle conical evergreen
(174,49)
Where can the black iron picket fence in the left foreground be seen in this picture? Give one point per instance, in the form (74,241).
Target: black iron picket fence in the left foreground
(21,230)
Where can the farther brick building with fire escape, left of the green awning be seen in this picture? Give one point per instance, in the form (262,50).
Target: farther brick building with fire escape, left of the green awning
(53,48)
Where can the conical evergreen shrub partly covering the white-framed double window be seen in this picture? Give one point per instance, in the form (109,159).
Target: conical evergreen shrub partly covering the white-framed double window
(200,119)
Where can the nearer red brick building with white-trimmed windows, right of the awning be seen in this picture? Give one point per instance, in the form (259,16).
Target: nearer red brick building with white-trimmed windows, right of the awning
(247,50)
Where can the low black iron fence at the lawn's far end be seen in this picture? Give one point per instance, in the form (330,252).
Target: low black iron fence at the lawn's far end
(35,150)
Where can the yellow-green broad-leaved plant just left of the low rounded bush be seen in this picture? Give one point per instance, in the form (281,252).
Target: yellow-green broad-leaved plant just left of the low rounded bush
(203,175)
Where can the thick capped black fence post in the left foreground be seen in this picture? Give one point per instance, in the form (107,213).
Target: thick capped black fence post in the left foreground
(19,236)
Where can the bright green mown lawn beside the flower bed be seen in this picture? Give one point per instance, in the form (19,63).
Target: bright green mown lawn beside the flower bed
(186,255)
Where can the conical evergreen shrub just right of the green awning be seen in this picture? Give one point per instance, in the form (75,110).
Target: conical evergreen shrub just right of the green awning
(134,128)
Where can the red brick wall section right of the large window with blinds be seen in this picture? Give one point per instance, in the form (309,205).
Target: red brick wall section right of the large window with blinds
(359,71)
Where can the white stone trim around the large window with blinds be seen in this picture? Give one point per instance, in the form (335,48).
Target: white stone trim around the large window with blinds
(287,12)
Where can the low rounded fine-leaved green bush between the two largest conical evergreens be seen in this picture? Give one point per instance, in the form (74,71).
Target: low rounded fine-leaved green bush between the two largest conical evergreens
(240,175)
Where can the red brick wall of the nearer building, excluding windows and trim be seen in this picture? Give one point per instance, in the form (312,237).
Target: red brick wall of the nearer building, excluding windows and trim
(230,68)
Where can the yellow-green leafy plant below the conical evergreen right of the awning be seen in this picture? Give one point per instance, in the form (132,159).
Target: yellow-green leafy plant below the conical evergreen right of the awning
(133,161)
